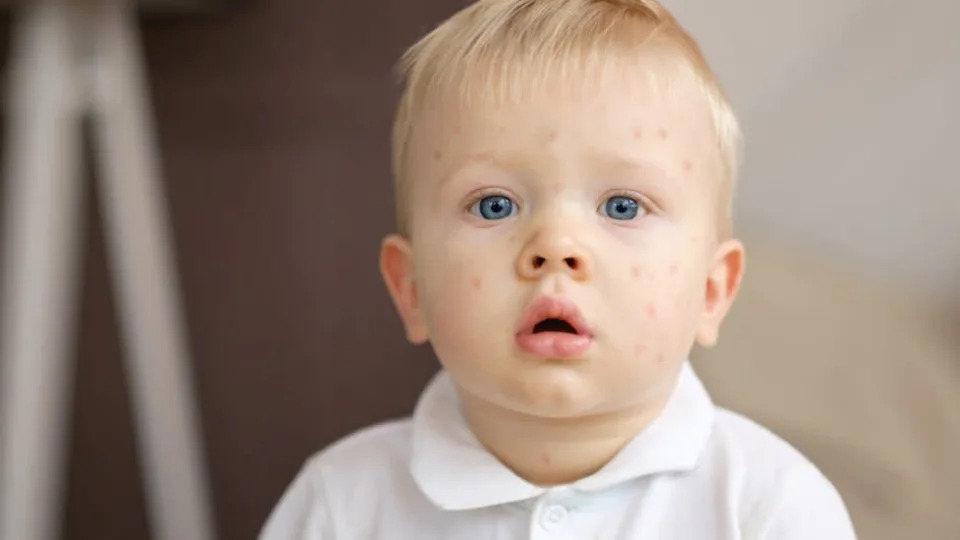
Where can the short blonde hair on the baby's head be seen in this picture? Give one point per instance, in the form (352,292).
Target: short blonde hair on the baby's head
(515,44)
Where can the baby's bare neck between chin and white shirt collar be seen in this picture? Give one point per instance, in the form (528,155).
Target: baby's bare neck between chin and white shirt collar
(554,451)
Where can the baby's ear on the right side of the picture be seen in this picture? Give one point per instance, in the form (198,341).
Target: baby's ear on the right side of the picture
(723,284)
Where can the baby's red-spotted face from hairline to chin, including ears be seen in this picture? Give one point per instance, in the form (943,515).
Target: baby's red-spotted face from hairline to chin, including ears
(562,248)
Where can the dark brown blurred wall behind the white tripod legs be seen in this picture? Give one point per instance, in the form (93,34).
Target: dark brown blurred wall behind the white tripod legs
(273,123)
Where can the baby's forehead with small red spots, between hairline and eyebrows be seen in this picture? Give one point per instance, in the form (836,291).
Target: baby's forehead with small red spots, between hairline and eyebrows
(623,104)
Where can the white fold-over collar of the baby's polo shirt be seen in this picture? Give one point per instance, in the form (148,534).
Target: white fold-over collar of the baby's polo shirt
(456,472)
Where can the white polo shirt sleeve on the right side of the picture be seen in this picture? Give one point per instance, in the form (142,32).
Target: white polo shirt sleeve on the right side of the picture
(806,507)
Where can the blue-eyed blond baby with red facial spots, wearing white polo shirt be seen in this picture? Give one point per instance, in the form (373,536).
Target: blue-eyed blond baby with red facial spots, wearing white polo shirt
(564,176)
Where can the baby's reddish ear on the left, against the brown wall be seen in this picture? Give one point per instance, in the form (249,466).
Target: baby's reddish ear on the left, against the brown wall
(396,267)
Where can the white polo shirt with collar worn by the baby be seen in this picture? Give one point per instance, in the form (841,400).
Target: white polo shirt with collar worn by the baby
(697,472)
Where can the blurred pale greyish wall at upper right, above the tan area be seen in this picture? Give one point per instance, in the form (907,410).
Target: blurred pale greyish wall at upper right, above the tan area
(850,111)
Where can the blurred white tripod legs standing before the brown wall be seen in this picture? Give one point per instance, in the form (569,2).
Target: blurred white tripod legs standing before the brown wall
(75,59)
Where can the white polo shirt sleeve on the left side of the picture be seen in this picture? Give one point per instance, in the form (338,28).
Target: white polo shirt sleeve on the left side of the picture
(302,512)
